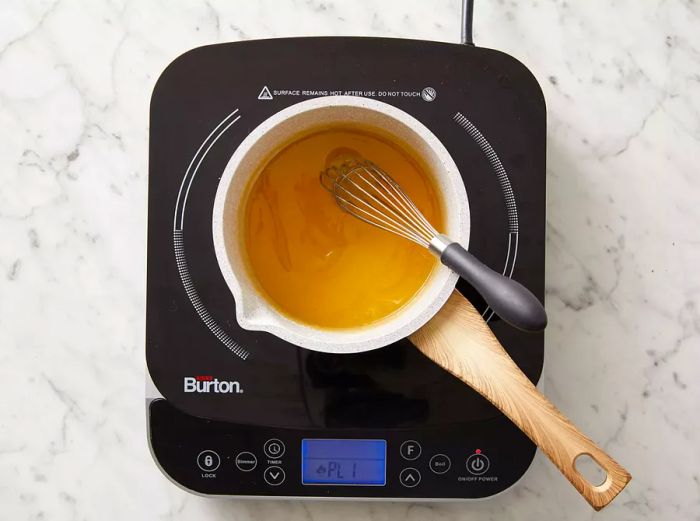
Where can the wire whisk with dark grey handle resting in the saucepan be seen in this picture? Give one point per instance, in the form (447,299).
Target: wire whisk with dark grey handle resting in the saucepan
(365,191)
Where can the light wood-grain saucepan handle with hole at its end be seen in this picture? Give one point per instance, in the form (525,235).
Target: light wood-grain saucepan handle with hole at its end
(459,340)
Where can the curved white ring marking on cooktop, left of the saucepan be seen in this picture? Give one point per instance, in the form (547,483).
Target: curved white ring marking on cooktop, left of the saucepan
(178,239)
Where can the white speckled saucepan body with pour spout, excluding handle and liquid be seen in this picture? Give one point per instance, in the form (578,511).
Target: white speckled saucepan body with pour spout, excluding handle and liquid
(252,310)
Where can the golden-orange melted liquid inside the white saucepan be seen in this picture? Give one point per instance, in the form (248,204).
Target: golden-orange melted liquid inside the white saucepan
(315,263)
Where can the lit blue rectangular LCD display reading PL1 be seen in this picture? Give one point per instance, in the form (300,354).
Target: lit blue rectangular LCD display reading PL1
(343,462)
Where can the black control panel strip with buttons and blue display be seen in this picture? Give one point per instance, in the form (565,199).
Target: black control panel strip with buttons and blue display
(219,458)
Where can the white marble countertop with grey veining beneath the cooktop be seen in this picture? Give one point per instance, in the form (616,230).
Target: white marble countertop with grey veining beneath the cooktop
(622,83)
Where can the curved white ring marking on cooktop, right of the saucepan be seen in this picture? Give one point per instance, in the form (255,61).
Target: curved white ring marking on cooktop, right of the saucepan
(511,208)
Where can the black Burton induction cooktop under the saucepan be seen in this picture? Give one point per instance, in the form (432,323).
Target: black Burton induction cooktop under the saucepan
(242,413)
